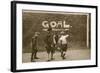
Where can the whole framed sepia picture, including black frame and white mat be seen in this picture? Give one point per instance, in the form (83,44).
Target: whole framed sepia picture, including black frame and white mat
(48,36)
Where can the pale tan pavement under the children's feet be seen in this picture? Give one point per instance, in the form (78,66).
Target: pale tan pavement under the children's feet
(72,54)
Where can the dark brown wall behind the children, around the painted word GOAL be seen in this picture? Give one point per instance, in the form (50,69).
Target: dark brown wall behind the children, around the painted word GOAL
(32,22)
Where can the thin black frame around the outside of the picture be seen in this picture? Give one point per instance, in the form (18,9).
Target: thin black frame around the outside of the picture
(13,36)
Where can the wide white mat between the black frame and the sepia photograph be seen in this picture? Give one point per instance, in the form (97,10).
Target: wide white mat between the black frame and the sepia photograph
(37,65)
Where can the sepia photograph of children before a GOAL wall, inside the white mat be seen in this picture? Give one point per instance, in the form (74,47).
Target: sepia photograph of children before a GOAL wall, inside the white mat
(55,36)
